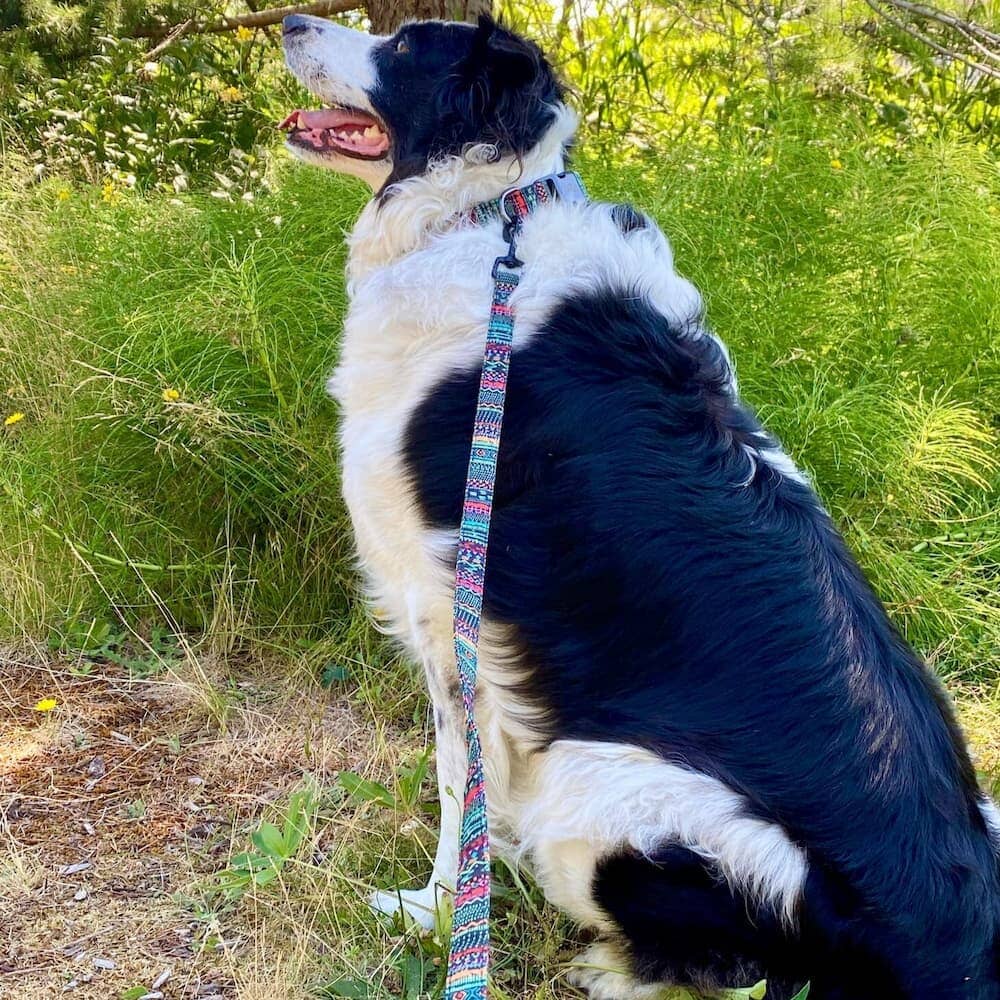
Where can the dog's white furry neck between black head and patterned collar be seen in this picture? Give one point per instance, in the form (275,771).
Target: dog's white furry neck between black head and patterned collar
(422,207)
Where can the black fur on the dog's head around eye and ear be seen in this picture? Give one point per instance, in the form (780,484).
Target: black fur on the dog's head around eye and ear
(457,85)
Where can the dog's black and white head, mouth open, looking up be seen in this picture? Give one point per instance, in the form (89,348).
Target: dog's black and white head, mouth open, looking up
(395,104)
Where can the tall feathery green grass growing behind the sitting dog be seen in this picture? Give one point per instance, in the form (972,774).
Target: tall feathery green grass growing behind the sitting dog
(859,298)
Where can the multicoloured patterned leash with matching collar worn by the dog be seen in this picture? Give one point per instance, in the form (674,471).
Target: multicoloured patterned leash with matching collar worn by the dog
(469,955)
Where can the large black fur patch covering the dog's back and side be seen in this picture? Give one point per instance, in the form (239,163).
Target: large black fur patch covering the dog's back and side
(672,591)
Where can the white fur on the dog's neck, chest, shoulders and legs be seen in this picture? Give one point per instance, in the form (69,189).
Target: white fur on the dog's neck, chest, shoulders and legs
(420,289)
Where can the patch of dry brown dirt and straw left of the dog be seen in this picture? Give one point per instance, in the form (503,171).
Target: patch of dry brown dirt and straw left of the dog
(117,806)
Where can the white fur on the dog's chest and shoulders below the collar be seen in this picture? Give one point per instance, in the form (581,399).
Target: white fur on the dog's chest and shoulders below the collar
(420,317)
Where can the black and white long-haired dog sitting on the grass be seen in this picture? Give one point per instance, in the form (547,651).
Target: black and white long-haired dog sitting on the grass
(703,736)
